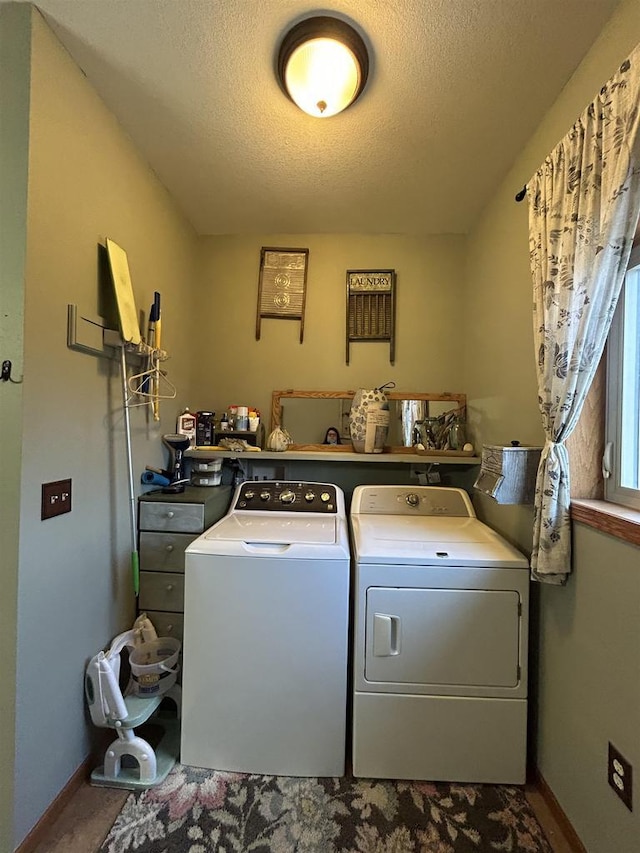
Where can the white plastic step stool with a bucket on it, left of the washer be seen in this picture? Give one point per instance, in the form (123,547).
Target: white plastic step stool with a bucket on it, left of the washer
(130,761)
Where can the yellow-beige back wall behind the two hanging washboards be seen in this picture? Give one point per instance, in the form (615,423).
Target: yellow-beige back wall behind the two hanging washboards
(232,367)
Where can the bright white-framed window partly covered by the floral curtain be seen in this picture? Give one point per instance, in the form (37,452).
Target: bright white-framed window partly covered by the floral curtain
(621,464)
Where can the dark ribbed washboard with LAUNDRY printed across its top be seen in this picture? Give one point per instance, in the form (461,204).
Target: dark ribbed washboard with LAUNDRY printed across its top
(371,307)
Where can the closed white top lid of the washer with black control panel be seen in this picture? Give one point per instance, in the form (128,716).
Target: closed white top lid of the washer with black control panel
(296,528)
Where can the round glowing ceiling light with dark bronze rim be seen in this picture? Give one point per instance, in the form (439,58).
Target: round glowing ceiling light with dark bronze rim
(323,65)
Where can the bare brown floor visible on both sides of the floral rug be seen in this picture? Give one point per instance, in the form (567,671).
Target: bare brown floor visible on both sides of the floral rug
(86,820)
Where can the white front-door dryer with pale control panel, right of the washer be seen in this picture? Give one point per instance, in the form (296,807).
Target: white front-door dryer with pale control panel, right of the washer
(440,644)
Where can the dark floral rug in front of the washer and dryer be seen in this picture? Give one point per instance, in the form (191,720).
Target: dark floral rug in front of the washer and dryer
(204,811)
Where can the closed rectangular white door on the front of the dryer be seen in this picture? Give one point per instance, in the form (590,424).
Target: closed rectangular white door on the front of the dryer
(462,637)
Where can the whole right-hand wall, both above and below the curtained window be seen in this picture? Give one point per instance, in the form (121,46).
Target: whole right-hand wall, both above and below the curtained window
(589,631)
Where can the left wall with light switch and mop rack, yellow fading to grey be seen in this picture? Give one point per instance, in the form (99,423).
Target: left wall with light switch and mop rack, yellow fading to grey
(86,182)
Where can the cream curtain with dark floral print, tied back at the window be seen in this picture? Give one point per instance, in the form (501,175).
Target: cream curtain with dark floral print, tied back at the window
(584,203)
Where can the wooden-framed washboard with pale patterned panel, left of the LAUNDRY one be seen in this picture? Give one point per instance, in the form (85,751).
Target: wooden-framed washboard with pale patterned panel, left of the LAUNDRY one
(282,285)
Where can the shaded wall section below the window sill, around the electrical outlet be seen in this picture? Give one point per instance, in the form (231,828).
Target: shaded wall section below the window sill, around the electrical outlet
(589,688)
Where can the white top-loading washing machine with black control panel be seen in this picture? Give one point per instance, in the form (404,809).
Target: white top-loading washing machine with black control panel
(266,614)
